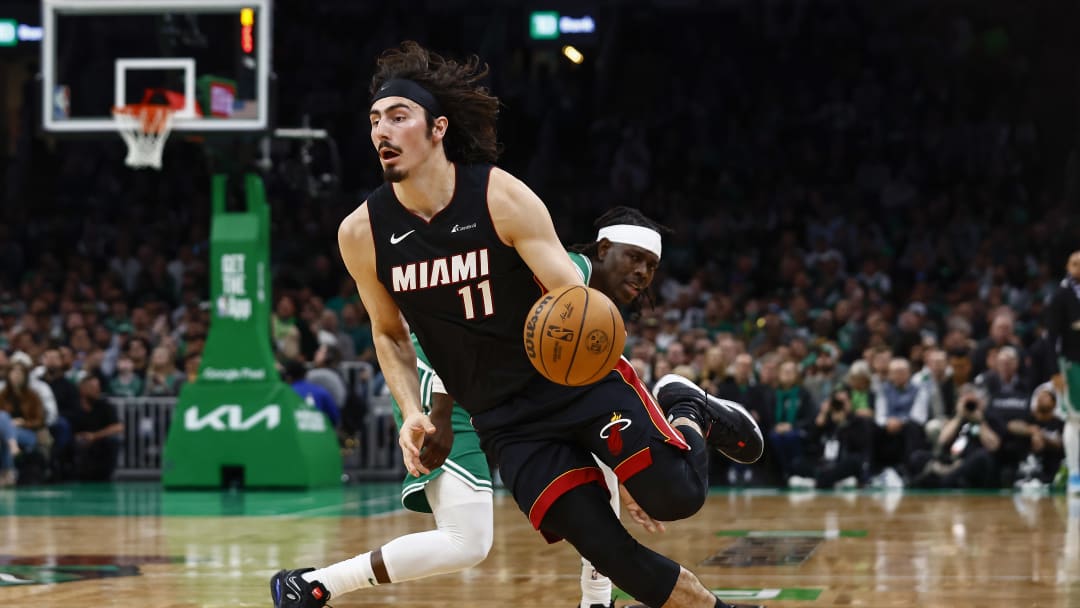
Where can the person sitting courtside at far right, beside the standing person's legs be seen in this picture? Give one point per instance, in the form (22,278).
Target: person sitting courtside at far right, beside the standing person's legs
(1043,430)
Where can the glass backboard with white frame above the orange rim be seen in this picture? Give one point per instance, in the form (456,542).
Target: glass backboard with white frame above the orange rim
(208,59)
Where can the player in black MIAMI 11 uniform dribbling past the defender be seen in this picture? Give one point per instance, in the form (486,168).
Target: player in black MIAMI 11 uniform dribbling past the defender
(457,251)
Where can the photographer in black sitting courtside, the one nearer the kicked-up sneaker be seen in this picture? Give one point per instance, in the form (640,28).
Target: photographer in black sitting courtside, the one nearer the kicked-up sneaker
(838,447)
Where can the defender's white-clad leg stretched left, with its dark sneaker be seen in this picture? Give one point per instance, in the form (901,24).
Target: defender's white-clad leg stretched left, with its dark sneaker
(464,517)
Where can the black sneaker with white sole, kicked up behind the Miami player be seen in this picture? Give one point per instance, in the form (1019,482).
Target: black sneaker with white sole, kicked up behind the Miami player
(731,429)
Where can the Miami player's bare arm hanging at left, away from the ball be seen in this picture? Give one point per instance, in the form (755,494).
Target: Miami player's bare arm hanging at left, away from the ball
(389,333)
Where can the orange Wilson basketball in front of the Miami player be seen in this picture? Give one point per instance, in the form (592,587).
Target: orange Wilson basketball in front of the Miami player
(574,335)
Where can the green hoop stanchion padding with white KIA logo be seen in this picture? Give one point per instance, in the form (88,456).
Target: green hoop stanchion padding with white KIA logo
(239,415)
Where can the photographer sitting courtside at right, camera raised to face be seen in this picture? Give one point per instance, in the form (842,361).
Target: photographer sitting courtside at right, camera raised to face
(966,449)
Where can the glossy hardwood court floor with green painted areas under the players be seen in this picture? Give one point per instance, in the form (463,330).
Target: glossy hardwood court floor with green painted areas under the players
(133,545)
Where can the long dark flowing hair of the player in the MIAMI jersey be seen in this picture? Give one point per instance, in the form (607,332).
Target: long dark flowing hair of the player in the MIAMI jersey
(470,107)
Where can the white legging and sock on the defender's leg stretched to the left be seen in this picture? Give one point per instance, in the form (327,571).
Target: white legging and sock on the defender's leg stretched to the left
(464,537)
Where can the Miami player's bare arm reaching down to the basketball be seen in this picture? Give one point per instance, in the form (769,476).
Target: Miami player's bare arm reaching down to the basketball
(522,222)
